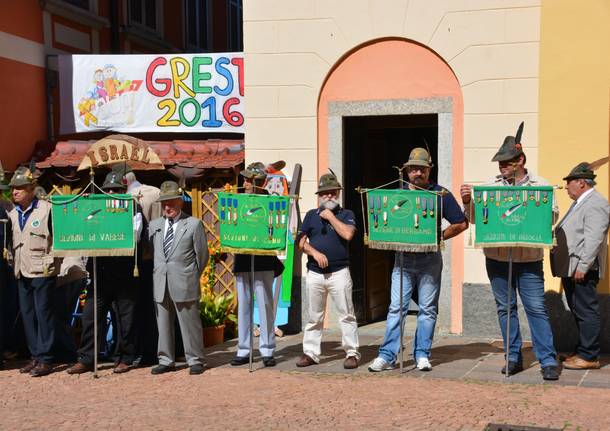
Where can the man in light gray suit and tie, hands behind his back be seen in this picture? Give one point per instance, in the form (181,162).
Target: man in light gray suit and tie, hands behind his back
(180,255)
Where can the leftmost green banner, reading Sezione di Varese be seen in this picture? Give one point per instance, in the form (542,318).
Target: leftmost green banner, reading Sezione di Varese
(92,225)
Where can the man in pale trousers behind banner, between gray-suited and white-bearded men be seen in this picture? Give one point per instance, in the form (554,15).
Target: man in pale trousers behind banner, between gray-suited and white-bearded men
(266,268)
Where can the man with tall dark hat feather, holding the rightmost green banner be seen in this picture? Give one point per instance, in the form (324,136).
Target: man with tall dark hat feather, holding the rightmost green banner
(527,273)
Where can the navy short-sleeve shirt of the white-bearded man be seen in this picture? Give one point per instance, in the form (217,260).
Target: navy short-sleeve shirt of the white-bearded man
(323,237)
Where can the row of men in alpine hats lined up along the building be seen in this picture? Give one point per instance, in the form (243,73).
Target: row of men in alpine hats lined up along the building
(173,253)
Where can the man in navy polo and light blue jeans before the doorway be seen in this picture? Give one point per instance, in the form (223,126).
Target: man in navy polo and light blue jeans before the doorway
(421,271)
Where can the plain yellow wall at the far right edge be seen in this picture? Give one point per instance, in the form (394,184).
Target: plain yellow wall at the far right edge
(574,94)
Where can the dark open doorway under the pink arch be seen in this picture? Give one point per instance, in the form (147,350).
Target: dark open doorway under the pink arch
(371,147)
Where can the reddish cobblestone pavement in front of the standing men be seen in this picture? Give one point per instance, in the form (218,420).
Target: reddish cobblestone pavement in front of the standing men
(464,391)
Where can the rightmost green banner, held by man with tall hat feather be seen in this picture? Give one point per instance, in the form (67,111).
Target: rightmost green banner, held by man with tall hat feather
(513,216)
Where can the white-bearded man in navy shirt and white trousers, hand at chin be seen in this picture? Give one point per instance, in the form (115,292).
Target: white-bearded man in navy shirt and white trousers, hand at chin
(325,234)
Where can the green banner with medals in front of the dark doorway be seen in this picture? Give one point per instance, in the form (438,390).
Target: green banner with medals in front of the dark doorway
(402,220)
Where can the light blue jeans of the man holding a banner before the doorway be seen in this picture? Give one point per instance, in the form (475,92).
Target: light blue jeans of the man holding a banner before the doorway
(423,272)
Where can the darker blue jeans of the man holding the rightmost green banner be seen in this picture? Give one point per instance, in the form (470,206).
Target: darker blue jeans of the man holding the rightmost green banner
(528,280)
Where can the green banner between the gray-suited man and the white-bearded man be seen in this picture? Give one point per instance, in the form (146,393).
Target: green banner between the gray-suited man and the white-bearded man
(253,224)
